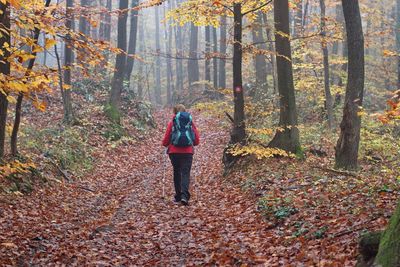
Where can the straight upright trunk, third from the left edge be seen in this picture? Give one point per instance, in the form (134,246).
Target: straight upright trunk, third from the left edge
(67,103)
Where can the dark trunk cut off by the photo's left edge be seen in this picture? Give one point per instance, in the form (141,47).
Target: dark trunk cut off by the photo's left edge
(4,70)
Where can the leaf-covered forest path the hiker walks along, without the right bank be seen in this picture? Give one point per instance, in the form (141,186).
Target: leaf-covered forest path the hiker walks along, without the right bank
(119,218)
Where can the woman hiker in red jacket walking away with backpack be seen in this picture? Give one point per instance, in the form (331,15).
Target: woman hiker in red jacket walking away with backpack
(180,138)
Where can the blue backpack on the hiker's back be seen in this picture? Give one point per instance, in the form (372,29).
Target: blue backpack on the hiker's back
(182,131)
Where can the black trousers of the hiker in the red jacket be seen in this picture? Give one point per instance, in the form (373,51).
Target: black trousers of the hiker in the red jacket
(182,164)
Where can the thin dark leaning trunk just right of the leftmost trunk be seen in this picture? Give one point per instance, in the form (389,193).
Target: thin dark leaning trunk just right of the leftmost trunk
(18,106)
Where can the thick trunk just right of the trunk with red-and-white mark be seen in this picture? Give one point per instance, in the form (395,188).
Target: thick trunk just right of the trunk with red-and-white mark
(288,138)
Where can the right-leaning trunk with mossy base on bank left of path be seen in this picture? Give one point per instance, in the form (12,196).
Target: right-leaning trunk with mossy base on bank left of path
(113,110)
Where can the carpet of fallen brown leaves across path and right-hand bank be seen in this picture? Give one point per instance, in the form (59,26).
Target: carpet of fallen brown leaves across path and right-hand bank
(116,216)
